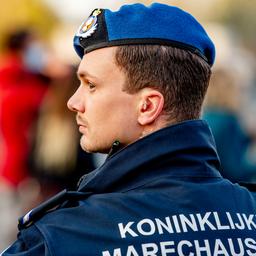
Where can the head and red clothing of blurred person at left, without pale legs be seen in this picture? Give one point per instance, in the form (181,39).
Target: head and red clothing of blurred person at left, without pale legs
(22,90)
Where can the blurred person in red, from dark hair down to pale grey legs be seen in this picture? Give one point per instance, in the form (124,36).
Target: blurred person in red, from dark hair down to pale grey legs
(22,88)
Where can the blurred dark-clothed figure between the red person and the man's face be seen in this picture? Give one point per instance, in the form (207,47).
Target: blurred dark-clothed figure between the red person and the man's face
(57,159)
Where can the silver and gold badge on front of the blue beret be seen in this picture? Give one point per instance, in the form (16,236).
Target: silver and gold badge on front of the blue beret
(89,26)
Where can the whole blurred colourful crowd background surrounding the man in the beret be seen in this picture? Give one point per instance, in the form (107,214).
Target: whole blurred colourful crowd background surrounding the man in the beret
(39,143)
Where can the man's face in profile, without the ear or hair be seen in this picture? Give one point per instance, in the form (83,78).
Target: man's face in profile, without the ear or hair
(105,112)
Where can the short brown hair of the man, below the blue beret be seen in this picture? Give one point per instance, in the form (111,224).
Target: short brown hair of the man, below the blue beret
(181,76)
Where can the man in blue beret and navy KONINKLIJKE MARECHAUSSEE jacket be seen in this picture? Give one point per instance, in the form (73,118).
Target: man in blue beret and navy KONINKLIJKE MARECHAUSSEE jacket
(144,73)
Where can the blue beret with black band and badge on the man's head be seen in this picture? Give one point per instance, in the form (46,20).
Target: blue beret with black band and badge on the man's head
(138,24)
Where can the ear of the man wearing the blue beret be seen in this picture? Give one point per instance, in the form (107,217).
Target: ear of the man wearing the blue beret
(150,106)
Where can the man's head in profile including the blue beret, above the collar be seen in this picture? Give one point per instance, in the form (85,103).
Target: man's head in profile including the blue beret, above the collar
(142,68)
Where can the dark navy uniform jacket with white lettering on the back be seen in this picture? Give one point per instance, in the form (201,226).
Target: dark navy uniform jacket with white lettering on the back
(162,195)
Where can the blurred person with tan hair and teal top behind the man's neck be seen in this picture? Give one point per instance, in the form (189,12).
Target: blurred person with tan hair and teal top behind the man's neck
(232,139)
